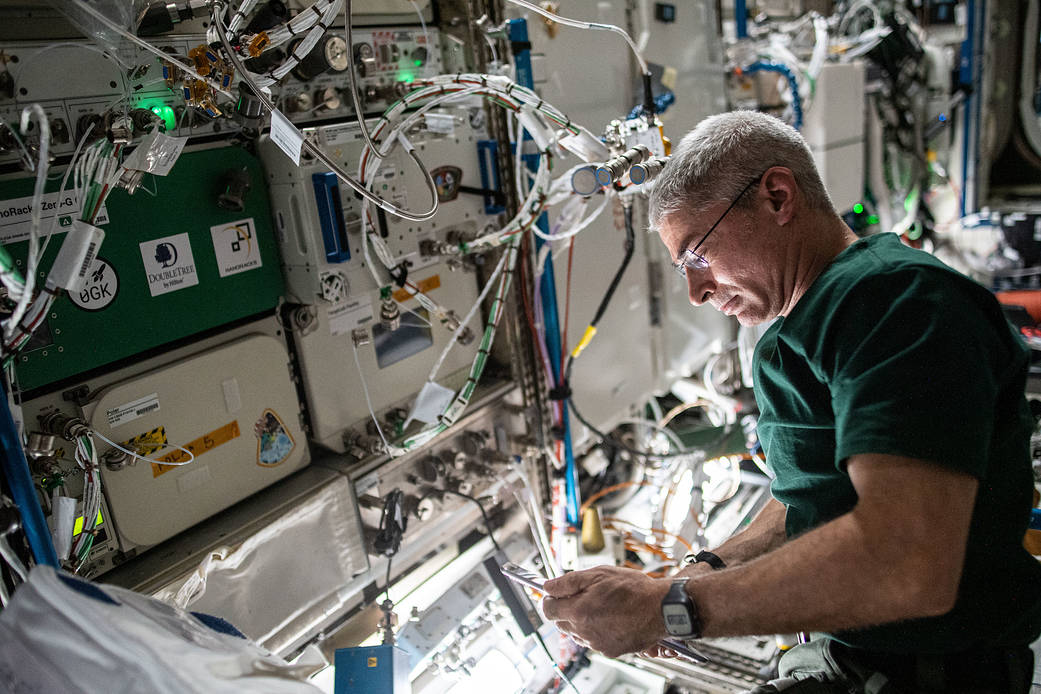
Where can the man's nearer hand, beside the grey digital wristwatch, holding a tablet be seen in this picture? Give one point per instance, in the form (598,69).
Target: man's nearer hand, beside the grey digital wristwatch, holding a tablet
(612,610)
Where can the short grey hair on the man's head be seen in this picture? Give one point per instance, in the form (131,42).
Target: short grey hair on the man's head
(721,156)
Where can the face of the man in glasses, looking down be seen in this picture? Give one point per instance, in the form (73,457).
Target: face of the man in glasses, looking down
(746,272)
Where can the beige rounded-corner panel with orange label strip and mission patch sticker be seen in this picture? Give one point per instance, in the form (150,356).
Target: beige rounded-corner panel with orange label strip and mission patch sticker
(237,453)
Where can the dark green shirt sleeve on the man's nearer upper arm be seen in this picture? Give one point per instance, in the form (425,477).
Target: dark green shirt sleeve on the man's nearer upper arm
(915,361)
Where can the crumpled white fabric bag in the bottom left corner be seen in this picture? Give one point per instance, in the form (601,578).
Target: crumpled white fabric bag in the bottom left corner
(62,634)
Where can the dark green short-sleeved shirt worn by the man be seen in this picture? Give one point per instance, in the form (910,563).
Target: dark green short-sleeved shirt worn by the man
(893,352)
